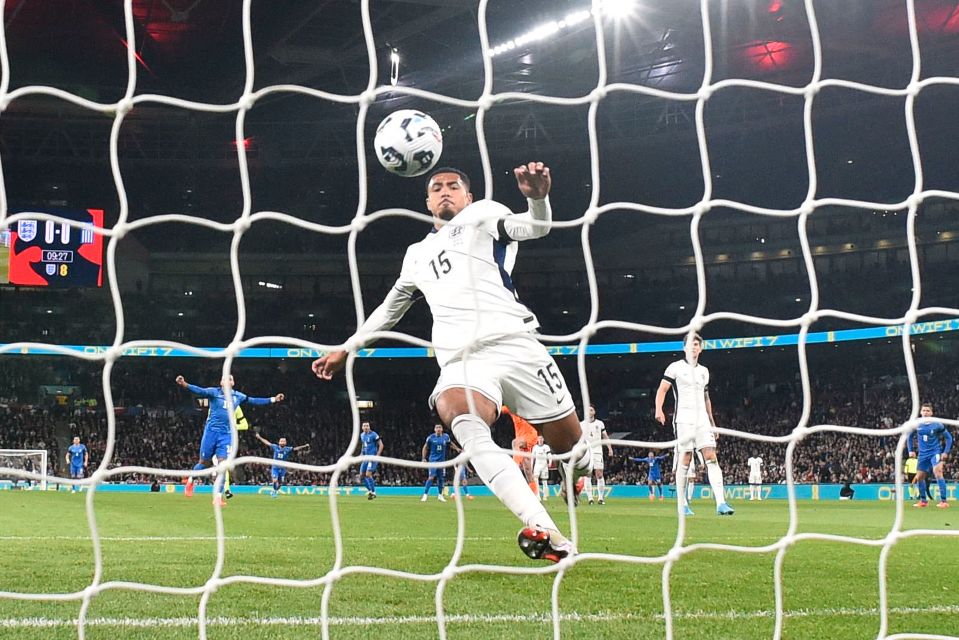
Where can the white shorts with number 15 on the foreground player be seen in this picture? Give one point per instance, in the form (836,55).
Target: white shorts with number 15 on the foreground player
(513,370)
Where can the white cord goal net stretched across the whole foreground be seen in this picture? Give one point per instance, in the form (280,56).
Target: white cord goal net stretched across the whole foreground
(482,106)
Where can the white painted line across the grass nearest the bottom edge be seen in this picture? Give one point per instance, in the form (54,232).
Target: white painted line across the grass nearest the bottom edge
(298,621)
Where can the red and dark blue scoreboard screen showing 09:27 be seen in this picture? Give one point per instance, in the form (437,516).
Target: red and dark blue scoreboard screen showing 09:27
(44,253)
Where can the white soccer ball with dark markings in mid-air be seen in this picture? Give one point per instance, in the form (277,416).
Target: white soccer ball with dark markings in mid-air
(408,143)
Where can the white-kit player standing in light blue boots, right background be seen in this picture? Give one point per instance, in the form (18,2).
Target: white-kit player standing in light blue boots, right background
(693,421)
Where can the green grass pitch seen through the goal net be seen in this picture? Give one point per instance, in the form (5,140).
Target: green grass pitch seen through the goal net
(830,588)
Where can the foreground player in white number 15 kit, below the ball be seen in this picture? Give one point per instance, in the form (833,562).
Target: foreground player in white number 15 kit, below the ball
(484,338)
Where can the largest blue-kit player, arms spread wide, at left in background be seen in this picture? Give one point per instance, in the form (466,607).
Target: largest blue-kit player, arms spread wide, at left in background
(216,432)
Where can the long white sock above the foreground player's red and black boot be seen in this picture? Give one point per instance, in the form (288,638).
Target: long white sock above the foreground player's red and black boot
(496,468)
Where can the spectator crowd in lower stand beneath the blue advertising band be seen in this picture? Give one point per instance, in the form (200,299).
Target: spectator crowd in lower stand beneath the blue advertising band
(159,426)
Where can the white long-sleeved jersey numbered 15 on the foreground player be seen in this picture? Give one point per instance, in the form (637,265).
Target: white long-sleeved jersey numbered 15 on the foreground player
(464,271)
